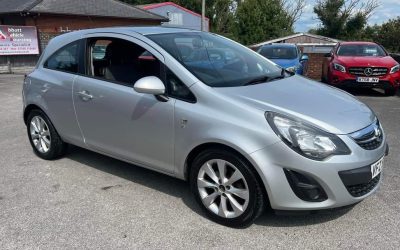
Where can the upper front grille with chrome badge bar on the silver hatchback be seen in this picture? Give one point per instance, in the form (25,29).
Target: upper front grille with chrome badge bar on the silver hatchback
(369,138)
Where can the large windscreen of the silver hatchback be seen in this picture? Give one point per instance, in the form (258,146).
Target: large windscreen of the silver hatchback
(216,61)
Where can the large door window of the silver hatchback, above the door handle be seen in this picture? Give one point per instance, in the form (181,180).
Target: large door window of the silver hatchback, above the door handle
(120,61)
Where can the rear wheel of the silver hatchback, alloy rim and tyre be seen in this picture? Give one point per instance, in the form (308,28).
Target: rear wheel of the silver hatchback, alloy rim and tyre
(44,139)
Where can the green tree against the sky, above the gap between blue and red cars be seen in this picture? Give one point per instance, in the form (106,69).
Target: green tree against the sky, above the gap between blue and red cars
(343,18)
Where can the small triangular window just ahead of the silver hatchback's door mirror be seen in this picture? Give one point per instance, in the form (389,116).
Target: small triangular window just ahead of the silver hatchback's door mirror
(177,89)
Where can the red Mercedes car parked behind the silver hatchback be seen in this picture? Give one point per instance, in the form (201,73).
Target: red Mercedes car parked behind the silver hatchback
(361,64)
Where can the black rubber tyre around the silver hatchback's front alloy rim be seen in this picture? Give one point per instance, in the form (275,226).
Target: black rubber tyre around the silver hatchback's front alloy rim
(256,202)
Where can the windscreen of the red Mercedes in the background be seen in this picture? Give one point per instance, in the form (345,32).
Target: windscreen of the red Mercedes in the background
(360,50)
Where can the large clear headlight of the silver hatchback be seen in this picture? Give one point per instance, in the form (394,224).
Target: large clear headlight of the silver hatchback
(305,139)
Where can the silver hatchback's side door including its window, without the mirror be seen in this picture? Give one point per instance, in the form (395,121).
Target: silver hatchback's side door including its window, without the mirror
(115,119)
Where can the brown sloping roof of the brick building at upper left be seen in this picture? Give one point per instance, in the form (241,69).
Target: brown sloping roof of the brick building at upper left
(103,8)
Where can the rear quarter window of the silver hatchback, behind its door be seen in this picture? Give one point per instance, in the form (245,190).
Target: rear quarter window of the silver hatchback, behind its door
(65,59)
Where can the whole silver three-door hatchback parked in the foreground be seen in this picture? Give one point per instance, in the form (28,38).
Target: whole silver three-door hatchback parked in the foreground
(242,131)
